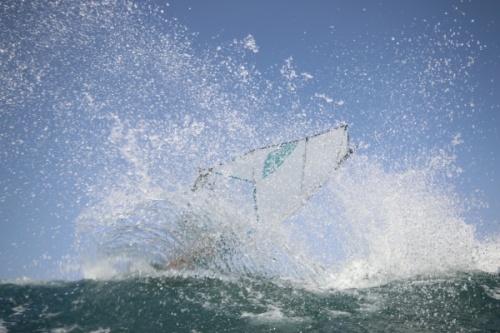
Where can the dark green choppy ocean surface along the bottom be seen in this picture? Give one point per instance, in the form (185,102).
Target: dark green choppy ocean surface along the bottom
(462,302)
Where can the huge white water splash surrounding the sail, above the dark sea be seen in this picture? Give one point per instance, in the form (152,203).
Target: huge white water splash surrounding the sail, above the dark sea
(129,105)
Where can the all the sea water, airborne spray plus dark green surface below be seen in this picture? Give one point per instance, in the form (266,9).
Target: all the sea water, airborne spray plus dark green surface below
(129,106)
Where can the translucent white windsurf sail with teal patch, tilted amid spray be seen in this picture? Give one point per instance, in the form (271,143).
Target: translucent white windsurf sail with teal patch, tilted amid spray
(286,175)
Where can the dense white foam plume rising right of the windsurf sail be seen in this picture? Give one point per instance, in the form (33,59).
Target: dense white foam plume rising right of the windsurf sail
(384,225)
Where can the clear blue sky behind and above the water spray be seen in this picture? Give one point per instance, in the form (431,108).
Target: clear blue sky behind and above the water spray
(365,58)
